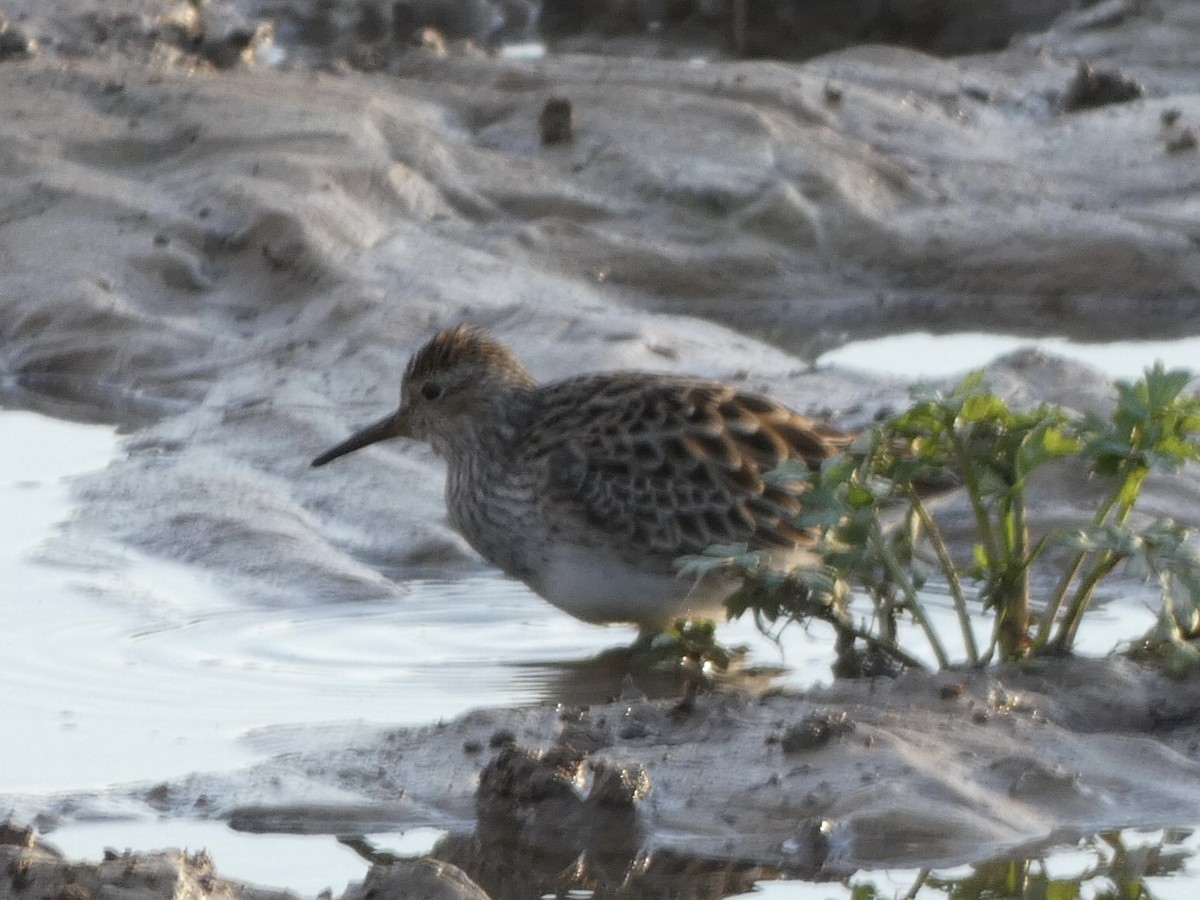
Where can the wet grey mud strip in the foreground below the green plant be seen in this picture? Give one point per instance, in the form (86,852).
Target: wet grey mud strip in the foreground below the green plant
(921,771)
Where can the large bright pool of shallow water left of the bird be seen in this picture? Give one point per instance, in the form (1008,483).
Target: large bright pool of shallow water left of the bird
(123,651)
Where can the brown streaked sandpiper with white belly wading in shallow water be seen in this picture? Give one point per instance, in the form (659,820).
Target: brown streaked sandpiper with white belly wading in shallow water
(591,489)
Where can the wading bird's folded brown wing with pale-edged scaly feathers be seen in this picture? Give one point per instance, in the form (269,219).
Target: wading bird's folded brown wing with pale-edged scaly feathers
(671,465)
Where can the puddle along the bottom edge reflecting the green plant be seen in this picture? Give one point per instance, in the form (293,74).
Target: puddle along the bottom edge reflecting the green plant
(1131,865)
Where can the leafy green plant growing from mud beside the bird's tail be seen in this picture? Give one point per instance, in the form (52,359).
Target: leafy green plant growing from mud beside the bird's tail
(879,537)
